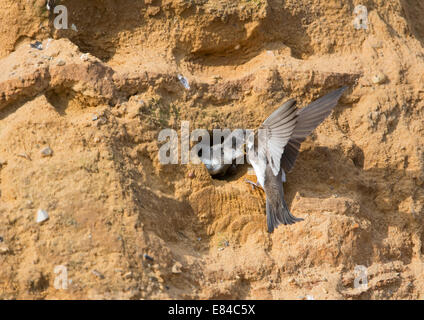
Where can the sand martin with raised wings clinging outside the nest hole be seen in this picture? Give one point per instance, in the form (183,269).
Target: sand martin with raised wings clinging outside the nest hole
(273,148)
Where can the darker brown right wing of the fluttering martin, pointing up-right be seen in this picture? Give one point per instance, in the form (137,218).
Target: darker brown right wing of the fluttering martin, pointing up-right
(308,119)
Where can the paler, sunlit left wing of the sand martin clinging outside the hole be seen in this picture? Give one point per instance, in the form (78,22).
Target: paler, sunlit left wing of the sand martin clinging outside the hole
(275,133)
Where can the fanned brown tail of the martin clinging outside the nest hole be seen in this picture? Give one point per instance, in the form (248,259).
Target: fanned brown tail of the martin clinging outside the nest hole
(278,213)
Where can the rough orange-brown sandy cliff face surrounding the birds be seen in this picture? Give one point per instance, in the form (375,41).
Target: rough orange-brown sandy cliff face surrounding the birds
(125,226)
